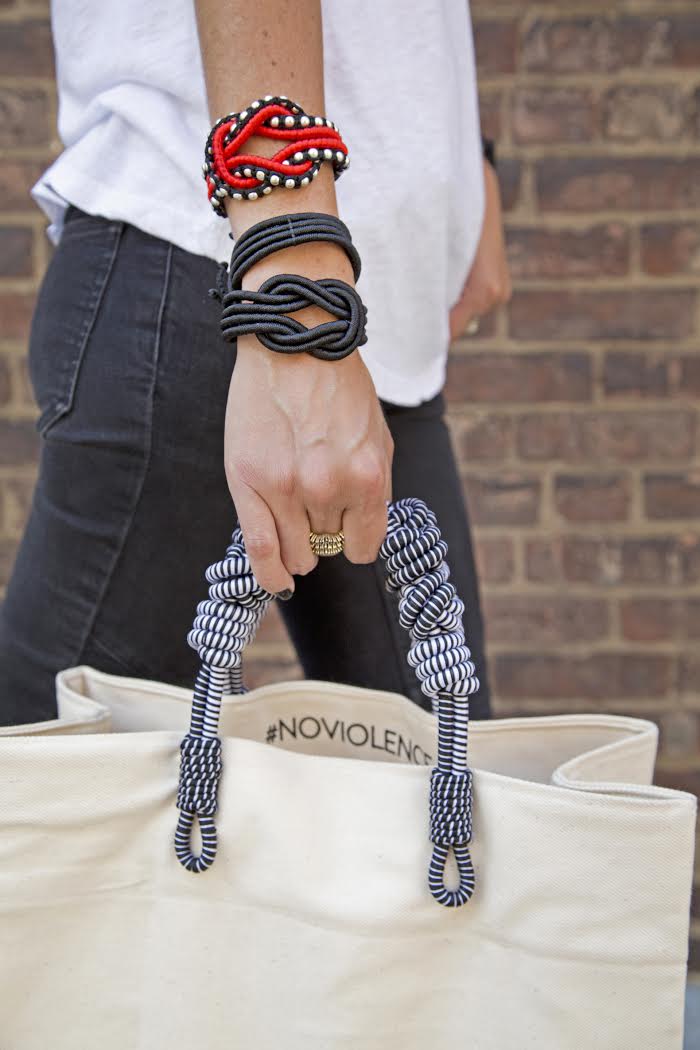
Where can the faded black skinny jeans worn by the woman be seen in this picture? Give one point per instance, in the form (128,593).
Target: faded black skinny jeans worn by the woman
(132,503)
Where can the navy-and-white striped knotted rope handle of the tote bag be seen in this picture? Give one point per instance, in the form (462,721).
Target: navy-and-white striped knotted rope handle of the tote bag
(430,608)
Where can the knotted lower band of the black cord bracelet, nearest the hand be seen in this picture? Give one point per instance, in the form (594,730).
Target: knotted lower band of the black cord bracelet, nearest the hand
(264,314)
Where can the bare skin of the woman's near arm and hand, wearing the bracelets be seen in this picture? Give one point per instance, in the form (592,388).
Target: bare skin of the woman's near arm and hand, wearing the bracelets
(307,446)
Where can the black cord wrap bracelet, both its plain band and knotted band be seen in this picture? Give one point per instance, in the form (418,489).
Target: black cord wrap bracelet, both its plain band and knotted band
(264,313)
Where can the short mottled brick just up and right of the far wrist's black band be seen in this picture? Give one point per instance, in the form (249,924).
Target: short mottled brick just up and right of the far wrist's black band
(551,115)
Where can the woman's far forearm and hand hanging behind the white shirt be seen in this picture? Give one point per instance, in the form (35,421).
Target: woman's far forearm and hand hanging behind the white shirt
(489,284)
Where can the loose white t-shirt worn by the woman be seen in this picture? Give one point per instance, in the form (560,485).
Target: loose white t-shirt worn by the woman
(400,85)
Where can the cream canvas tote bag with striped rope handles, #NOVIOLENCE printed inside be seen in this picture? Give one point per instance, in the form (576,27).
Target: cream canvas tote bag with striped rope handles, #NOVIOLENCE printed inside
(304,906)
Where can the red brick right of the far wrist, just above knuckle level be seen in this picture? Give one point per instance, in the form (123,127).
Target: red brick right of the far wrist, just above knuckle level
(561,255)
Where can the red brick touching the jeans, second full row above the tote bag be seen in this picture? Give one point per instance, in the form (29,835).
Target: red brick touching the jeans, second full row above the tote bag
(545,620)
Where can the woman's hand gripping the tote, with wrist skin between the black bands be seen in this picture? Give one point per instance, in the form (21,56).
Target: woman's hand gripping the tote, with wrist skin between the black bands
(307,445)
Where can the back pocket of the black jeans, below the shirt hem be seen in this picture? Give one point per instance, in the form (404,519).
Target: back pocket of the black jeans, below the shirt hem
(67,311)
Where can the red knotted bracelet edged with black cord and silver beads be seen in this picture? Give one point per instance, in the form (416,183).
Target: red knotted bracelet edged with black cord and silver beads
(310,141)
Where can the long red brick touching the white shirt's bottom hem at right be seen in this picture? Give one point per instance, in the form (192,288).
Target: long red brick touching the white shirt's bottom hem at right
(520,377)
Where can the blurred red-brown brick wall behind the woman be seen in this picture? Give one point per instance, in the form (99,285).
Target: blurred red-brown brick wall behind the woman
(576,413)
